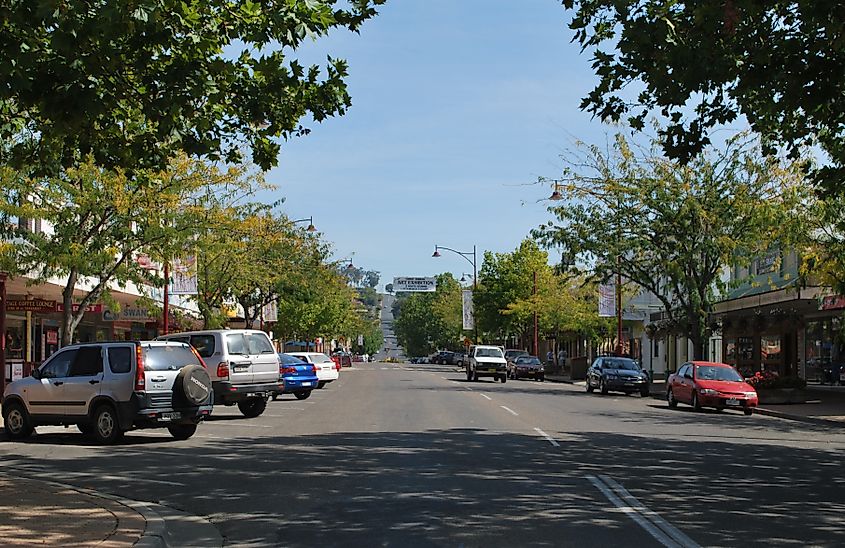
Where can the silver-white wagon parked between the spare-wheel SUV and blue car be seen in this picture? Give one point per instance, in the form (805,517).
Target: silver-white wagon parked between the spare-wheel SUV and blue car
(242,363)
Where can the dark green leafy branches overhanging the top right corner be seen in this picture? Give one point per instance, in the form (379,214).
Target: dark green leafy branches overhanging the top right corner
(781,64)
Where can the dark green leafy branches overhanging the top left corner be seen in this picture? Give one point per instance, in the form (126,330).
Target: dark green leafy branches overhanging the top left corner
(134,83)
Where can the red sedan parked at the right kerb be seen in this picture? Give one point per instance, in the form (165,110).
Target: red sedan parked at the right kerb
(710,384)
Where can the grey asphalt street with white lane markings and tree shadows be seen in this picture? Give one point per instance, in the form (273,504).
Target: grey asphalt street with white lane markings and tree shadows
(413,455)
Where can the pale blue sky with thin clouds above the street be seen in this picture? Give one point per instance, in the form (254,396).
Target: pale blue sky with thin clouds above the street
(459,106)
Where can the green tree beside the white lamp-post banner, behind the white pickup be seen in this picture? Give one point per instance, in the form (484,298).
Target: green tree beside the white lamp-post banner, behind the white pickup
(504,279)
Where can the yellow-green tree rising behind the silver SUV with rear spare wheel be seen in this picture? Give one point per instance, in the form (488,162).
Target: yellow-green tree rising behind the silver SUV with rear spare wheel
(94,223)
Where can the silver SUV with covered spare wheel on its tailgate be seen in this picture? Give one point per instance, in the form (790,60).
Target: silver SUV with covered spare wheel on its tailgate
(110,387)
